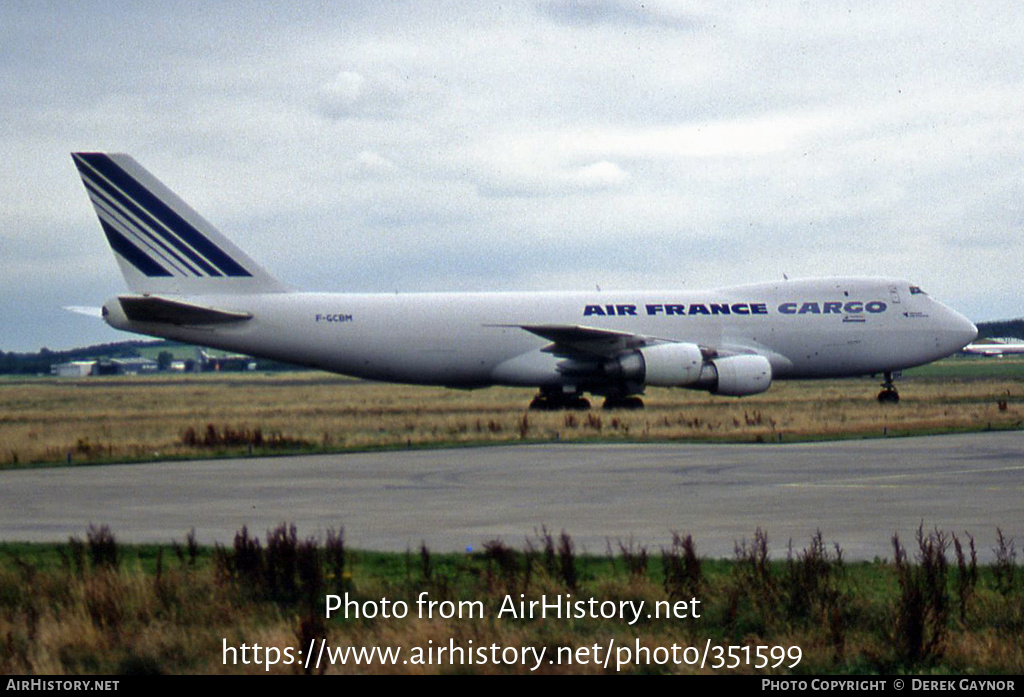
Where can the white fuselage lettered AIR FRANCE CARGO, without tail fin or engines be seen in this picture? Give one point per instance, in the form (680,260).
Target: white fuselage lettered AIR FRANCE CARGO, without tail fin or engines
(806,329)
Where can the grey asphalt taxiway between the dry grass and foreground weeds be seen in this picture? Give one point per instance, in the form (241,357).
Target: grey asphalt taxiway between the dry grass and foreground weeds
(858,494)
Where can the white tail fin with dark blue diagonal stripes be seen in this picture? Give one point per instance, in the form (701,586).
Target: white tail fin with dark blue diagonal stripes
(161,244)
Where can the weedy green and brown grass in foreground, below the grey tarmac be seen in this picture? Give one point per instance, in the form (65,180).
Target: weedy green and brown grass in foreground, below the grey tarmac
(95,607)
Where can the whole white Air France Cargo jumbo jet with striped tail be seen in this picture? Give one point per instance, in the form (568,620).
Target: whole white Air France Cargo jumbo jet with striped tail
(189,283)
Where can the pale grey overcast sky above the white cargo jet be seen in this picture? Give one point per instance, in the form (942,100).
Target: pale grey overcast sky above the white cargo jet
(523,146)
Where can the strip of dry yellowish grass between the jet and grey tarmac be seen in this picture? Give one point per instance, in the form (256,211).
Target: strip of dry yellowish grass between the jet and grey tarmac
(52,420)
